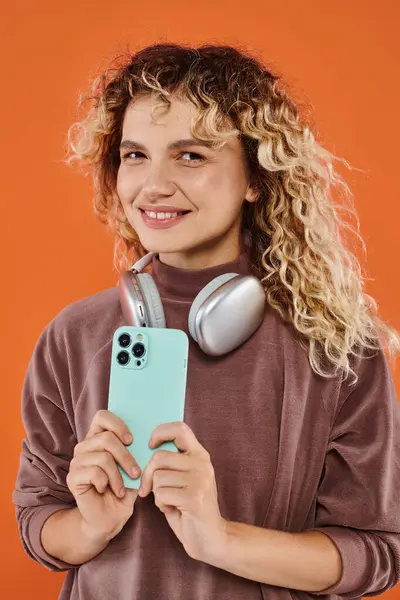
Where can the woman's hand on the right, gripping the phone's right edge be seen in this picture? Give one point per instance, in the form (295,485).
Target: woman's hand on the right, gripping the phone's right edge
(185,490)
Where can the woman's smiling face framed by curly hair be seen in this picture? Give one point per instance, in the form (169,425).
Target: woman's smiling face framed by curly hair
(182,196)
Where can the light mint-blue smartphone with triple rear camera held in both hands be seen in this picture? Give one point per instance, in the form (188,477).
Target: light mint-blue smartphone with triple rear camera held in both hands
(147,386)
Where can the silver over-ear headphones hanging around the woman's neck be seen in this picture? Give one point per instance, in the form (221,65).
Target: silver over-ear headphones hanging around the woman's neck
(225,313)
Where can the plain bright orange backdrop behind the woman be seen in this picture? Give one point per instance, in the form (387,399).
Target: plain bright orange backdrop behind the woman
(343,56)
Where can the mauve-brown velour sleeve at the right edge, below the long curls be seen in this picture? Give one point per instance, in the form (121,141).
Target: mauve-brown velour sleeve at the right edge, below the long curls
(358,501)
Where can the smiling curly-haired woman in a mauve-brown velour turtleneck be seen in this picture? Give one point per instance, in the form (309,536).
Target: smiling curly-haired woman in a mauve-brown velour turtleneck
(288,479)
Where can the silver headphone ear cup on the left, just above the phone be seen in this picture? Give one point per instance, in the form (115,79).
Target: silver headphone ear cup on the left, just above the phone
(140,301)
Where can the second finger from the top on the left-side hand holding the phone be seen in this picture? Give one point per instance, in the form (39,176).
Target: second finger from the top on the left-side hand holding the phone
(108,442)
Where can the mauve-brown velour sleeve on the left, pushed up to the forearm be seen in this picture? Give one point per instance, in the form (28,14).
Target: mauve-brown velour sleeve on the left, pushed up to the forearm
(47,449)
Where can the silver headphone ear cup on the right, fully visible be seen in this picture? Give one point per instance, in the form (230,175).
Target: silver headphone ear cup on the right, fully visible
(226,313)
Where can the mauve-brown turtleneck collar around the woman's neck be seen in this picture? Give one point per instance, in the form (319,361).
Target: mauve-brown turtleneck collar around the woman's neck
(185,284)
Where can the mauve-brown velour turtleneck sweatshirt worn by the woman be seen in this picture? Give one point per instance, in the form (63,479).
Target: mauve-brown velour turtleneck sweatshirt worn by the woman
(292,451)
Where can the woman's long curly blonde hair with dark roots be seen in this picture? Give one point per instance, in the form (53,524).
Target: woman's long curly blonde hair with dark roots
(310,276)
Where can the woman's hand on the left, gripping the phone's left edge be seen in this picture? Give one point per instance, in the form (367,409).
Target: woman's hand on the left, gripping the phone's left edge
(94,478)
